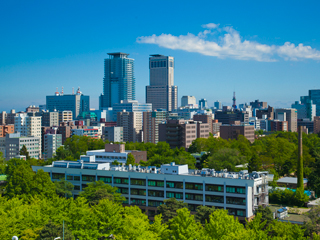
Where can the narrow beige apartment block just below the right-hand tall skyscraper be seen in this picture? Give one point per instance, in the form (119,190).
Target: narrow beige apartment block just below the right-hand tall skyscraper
(151,121)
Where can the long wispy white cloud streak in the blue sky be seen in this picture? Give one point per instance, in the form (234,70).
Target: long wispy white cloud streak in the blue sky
(230,45)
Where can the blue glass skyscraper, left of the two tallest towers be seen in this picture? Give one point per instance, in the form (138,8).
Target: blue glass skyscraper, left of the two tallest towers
(118,81)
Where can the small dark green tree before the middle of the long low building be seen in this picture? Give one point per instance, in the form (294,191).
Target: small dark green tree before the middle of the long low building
(169,208)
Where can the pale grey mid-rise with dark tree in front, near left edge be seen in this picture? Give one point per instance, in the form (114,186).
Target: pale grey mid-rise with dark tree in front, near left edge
(14,143)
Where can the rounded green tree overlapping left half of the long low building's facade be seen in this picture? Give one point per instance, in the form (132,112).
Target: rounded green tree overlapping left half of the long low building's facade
(98,190)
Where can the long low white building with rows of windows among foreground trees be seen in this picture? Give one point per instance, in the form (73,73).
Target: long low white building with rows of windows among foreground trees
(147,187)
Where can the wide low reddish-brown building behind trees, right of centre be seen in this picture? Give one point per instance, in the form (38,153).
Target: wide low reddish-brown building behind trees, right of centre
(231,131)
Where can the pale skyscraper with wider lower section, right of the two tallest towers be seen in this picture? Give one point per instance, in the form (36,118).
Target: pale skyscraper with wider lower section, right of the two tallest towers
(161,92)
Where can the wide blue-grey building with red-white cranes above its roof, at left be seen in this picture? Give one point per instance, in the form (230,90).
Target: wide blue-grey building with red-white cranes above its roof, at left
(77,103)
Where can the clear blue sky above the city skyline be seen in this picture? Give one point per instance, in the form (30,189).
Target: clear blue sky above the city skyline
(250,47)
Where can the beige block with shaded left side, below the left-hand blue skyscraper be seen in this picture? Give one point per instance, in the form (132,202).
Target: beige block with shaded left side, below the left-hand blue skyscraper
(132,125)
